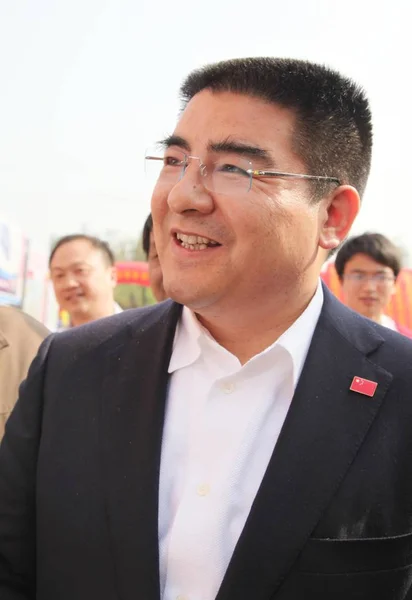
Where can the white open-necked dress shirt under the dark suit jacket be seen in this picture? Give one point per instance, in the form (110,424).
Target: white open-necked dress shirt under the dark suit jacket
(222,424)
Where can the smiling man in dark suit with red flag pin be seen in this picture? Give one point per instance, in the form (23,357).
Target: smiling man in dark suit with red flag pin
(249,438)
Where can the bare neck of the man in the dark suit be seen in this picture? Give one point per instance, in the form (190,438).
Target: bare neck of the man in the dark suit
(248,332)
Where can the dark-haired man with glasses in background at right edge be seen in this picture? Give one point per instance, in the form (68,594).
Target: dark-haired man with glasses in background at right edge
(368,266)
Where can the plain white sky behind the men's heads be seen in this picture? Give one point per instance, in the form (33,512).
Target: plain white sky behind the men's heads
(87,85)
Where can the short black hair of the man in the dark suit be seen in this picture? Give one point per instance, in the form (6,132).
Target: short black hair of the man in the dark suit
(333,132)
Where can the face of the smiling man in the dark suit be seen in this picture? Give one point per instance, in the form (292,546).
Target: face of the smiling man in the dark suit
(265,240)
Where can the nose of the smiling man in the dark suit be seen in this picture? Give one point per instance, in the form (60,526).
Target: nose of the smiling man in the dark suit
(190,194)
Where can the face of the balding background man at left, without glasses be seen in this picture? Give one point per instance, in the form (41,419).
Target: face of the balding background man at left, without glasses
(83,281)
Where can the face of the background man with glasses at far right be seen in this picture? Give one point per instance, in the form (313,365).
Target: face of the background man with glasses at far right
(367,286)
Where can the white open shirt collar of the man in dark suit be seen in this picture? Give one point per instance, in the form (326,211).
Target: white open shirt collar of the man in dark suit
(295,340)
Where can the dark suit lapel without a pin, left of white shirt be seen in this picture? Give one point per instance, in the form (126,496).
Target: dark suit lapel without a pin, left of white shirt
(134,393)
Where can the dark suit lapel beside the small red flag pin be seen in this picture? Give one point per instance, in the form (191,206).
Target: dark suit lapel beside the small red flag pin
(322,434)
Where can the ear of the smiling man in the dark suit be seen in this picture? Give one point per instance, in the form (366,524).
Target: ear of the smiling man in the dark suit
(339,212)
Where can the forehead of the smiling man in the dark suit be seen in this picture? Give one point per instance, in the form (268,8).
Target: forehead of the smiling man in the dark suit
(216,116)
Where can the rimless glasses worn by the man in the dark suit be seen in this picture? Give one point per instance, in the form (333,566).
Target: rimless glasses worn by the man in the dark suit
(224,174)
